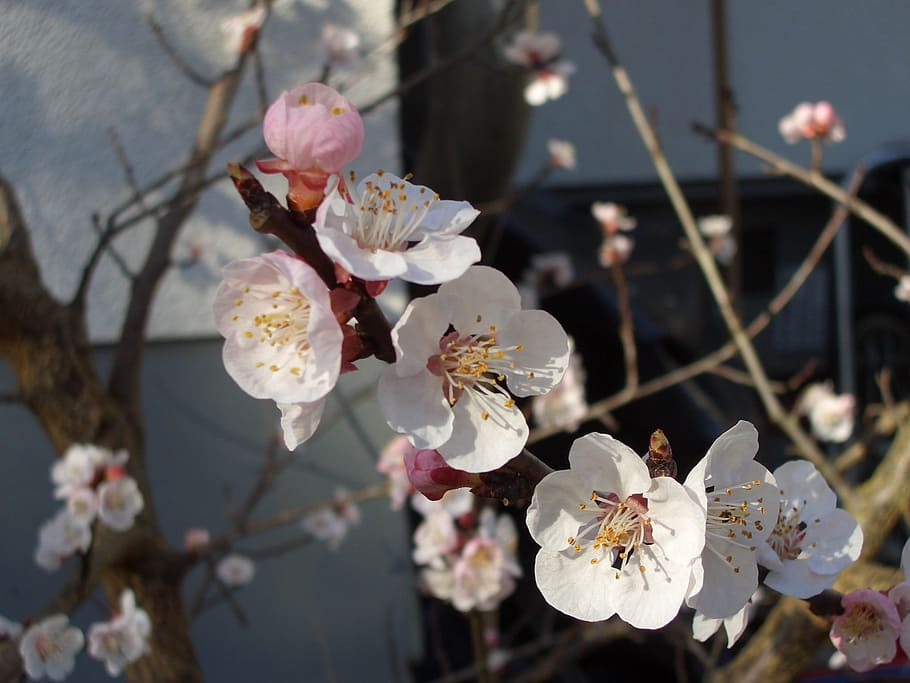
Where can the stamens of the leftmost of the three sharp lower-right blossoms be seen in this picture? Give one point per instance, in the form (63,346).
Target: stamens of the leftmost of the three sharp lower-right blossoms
(616,531)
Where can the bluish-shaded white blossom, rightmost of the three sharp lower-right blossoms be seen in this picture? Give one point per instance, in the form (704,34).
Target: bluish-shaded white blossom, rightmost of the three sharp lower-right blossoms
(813,538)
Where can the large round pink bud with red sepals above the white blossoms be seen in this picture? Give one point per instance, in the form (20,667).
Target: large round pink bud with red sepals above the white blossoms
(314,132)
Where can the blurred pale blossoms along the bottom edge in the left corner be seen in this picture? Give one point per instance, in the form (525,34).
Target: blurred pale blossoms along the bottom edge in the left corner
(49,647)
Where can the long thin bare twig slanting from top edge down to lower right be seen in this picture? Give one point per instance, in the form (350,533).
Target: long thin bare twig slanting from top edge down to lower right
(706,262)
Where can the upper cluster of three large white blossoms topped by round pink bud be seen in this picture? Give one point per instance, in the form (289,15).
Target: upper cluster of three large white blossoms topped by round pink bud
(461,354)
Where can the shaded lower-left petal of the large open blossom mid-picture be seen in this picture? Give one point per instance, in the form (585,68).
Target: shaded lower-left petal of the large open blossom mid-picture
(416,406)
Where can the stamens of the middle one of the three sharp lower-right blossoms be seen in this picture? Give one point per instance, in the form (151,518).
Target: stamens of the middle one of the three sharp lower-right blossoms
(731,512)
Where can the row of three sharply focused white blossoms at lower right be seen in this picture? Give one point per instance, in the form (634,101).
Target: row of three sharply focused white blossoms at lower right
(616,540)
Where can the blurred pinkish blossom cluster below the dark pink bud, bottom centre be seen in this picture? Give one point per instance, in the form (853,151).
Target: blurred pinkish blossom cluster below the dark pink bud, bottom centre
(467,559)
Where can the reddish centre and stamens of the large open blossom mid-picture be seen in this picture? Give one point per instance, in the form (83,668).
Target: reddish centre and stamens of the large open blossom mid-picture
(475,363)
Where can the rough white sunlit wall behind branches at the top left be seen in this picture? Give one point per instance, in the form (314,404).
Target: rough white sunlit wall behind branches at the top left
(70,70)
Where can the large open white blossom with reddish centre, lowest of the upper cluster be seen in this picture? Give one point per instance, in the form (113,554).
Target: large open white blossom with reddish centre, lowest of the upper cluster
(446,391)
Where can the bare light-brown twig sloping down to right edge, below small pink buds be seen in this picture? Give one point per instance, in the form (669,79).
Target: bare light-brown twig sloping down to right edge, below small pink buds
(856,206)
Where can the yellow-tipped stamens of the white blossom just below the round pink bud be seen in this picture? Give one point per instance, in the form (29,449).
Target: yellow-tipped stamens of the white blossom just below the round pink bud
(387,217)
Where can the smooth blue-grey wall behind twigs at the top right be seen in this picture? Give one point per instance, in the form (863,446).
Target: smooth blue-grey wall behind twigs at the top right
(854,53)
